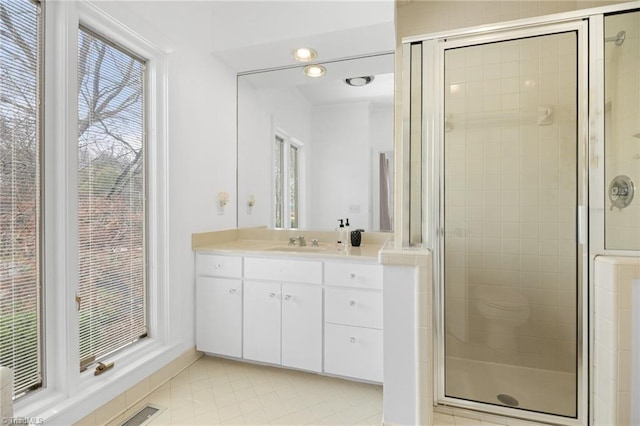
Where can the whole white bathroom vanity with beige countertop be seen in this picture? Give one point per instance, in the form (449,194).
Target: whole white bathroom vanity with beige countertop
(316,309)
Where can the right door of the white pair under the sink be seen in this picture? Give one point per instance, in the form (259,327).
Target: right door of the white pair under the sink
(302,327)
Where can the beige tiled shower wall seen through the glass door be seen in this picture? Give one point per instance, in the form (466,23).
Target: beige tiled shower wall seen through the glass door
(519,191)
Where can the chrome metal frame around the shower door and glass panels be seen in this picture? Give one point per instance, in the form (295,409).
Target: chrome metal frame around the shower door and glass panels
(589,24)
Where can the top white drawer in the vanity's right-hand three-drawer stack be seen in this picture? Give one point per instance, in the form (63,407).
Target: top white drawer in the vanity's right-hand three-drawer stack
(353,274)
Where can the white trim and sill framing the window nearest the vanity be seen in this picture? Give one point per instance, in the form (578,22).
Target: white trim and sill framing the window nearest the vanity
(69,395)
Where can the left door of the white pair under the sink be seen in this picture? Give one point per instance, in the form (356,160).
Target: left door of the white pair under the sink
(261,325)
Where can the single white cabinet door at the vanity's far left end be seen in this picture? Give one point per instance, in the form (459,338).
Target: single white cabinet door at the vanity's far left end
(219,316)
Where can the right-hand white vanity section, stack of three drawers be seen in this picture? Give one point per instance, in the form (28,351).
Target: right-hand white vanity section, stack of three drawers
(353,320)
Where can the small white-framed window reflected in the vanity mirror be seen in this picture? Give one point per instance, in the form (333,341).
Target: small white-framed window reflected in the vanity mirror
(286,172)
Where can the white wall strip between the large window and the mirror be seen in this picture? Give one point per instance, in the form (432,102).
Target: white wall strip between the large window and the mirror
(201,163)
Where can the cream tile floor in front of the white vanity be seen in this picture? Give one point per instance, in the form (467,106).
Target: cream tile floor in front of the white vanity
(217,391)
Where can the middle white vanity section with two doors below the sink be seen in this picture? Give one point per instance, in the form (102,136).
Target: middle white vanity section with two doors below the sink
(283,312)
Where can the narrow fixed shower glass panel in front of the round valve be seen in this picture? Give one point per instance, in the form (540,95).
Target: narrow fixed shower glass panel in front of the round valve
(622,131)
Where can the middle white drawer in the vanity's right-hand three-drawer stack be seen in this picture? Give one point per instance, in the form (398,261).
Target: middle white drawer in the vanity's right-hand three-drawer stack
(353,307)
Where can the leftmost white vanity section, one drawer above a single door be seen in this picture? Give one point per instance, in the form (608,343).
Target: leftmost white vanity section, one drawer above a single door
(219,304)
